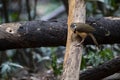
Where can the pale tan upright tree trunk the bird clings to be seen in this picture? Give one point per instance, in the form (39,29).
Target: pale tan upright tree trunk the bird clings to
(73,55)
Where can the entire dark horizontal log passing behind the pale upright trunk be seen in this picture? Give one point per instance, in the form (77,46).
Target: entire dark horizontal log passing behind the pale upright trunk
(54,33)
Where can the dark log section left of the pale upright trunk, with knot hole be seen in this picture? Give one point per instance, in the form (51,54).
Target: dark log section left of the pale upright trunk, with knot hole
(31,34)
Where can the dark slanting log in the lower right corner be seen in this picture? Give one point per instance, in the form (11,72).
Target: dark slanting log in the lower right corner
(102,71)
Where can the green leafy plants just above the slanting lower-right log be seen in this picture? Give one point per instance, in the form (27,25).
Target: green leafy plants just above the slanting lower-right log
(93,58)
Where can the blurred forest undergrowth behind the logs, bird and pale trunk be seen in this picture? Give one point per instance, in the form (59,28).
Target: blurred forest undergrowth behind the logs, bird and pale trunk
(45,63)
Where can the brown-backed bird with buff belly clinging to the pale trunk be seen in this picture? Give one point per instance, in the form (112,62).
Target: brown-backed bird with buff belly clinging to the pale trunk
(83,30)
